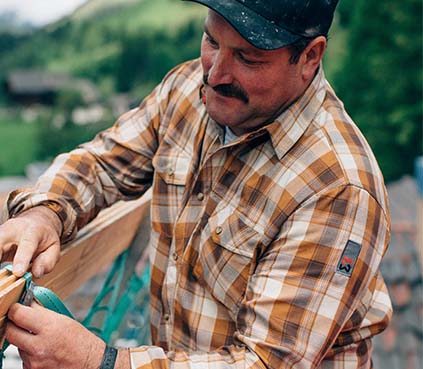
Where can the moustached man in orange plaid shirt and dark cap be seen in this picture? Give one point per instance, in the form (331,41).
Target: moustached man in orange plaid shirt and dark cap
(269,214)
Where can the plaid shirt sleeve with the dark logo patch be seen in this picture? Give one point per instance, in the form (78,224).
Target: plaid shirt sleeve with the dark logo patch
(300,307)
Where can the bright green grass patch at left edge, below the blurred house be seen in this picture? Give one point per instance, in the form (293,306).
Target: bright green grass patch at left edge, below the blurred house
(17,146)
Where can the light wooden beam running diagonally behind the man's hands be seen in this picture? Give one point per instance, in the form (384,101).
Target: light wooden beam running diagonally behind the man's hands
(95,247)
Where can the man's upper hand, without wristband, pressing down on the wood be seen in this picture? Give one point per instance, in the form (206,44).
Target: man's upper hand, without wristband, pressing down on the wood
(32,236)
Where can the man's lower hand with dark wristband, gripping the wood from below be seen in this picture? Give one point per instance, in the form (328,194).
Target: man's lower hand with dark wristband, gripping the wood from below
(48,340)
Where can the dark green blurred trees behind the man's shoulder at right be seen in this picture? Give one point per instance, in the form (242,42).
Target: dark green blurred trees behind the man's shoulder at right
(381,79)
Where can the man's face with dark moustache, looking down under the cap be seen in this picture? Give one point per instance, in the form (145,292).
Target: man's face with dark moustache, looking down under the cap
(245,86)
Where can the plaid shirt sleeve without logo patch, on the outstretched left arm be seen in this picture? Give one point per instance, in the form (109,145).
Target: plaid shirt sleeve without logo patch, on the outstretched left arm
(115,165)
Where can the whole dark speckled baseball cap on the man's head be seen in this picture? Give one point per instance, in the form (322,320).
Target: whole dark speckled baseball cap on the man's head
(272,24)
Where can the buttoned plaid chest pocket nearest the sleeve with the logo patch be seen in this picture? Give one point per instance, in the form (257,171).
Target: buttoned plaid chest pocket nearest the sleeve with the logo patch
(225,258)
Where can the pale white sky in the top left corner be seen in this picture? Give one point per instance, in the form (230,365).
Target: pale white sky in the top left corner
(40,11)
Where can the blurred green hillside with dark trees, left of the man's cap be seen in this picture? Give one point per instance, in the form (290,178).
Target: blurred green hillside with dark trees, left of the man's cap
(90,42)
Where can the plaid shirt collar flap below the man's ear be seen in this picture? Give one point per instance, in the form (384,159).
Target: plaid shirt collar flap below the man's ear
(288,127)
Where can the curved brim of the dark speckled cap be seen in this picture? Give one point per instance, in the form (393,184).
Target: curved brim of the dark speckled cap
(256,29)
